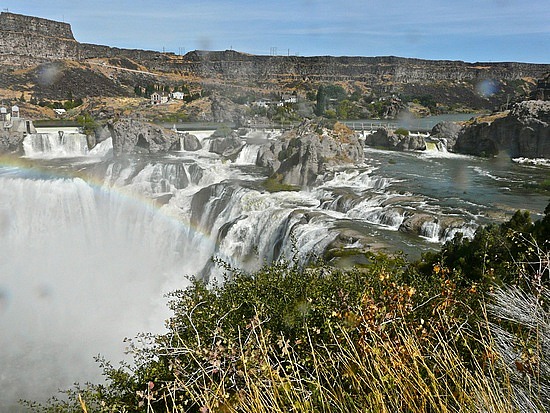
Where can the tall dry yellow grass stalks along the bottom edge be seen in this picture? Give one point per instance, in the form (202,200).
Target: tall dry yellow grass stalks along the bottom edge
(403,375)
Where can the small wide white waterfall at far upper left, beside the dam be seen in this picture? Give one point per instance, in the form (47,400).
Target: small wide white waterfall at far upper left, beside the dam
(55,145)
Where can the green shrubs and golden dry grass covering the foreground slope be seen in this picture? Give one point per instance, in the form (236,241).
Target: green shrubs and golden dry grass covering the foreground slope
(464,330)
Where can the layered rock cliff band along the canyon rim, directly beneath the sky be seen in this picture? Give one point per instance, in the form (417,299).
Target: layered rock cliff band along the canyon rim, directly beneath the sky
(25,41)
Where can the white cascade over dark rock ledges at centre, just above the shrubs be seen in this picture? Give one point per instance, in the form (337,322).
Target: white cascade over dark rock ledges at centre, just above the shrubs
(263,227)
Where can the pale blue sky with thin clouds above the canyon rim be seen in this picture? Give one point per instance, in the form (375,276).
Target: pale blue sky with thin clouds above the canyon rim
(468,30)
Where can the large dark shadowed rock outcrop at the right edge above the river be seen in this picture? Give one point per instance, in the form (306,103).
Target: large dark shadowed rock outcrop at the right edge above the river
(523,132)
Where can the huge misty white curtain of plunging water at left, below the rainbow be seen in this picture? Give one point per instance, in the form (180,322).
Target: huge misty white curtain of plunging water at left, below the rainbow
(82,268)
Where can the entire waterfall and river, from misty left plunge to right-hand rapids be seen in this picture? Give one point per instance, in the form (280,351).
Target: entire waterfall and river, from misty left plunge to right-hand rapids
(91,242)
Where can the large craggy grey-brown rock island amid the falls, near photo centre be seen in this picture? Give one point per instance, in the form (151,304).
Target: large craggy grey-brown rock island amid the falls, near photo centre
(302,155)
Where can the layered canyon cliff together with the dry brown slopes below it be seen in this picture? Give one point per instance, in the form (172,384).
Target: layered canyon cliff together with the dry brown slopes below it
(41,58)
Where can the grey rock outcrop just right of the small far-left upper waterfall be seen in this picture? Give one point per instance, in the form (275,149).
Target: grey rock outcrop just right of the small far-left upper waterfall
(132,136)
